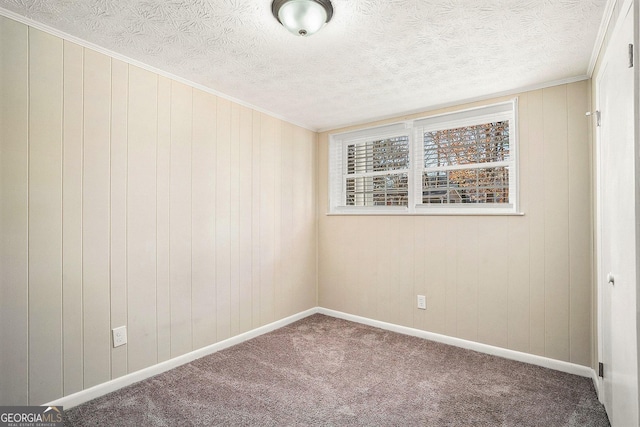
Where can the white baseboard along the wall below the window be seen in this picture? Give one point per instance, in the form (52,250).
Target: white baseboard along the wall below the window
(545,362)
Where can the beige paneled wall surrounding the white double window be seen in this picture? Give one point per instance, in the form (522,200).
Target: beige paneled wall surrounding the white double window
(517,282)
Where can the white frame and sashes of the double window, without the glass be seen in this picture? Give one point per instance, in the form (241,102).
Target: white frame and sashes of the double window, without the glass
(414,130)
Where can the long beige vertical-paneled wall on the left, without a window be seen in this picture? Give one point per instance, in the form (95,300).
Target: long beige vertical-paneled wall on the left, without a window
(131,199)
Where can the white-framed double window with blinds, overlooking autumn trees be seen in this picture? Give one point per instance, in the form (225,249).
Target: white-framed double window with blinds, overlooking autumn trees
(462,162)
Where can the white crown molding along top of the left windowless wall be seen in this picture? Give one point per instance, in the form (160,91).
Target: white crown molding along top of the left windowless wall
(68,37)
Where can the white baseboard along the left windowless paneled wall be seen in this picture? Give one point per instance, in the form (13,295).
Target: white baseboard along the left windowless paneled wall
(101,389)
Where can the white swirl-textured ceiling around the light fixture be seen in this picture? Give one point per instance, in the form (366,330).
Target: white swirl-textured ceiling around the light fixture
(376,58)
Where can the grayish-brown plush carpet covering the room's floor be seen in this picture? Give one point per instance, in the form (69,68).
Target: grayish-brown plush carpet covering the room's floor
(323,371)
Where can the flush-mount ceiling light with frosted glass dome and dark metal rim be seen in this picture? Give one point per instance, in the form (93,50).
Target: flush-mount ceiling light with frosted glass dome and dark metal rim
(302,17)
